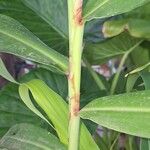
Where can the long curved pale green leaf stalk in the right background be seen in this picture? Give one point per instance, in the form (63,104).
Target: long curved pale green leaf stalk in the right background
(125,56)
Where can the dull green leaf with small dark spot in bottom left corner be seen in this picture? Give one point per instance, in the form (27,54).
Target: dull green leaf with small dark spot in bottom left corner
(29,137)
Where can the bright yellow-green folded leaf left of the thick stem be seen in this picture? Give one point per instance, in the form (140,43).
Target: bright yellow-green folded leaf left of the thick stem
(52,104)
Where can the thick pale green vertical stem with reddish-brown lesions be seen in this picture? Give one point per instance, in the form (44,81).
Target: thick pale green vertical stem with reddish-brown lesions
(76,29)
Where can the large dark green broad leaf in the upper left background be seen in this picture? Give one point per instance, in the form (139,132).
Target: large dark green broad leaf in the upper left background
(41,28)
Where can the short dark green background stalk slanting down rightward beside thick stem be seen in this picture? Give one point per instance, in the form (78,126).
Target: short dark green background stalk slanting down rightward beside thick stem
(94,75)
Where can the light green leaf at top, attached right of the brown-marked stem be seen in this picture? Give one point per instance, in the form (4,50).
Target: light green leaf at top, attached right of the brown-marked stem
(107,8)
